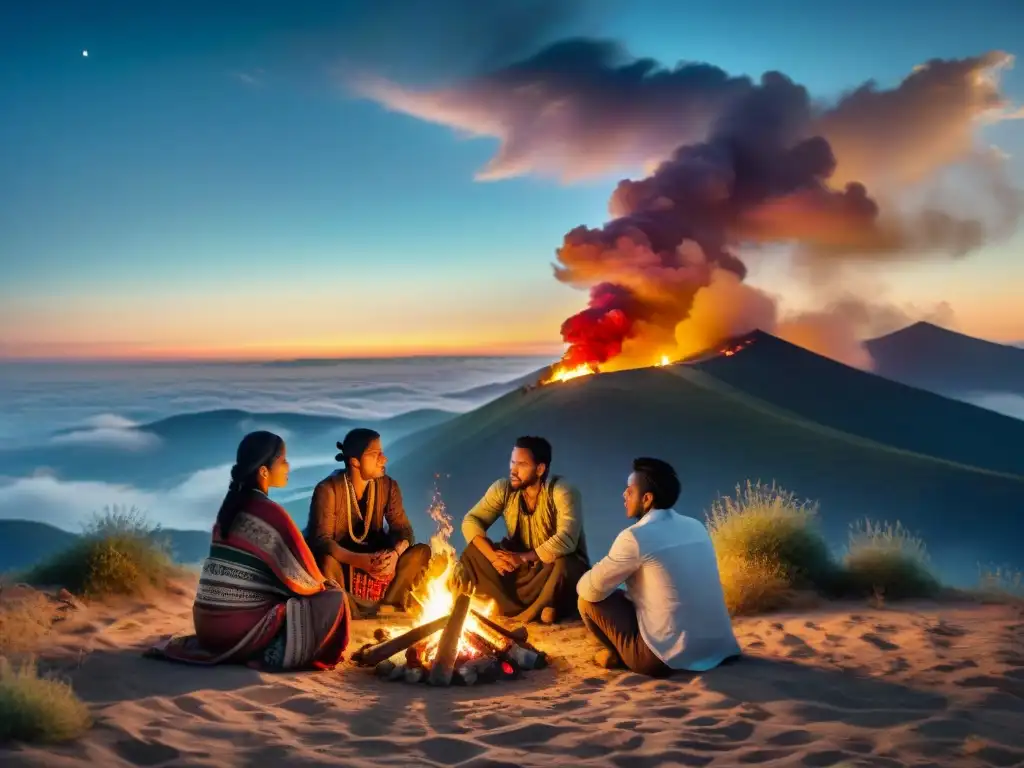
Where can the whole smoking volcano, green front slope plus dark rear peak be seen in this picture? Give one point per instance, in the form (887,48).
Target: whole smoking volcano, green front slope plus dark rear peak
(719,436)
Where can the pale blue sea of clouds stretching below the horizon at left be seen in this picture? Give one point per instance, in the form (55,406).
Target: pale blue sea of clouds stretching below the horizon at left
(65,406)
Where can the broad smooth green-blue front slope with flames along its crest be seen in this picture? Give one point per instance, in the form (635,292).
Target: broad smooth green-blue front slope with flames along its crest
(717,438)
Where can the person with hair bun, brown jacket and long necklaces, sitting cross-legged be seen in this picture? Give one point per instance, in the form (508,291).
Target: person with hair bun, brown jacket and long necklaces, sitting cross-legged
(347,532)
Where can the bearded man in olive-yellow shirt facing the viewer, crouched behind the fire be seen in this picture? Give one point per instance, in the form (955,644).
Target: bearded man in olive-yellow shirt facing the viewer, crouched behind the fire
(532,574)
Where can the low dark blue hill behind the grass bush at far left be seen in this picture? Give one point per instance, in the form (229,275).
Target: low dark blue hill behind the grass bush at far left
(26,543)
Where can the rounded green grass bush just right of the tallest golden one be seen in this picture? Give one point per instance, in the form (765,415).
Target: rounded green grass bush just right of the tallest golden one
(889,563)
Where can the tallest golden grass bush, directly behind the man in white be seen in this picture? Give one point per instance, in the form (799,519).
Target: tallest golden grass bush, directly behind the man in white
(769,546)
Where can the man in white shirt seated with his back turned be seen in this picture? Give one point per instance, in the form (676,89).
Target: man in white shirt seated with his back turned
(672,615)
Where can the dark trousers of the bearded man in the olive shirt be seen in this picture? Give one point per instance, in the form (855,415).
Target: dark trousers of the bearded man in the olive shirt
(530,589)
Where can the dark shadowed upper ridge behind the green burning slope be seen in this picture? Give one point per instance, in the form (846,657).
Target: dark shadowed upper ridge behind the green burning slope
(851,401)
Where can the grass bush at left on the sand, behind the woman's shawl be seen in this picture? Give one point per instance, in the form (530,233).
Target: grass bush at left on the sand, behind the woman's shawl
(118,554)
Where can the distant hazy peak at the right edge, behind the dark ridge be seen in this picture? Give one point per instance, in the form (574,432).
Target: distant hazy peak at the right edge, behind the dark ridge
(932,358)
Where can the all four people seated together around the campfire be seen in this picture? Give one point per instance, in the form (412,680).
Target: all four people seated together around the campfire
(275,598)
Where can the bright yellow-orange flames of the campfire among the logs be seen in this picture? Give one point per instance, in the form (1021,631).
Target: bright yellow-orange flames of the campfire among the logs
(438,594)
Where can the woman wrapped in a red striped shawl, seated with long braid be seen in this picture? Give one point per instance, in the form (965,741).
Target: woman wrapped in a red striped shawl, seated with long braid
(262,600)
